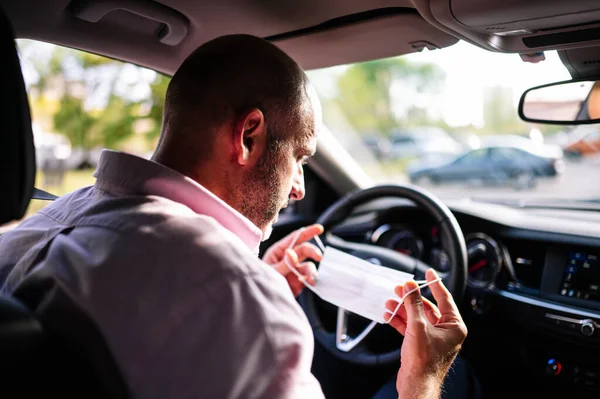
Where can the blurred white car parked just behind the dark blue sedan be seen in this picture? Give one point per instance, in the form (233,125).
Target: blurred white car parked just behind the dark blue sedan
(423,142)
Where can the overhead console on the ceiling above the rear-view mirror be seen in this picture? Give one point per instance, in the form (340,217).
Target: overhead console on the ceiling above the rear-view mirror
(521,26)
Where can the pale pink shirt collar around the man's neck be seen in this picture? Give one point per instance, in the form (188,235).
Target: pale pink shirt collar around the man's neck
(119,172)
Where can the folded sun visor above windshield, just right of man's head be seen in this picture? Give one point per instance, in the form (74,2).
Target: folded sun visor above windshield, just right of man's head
(376,38)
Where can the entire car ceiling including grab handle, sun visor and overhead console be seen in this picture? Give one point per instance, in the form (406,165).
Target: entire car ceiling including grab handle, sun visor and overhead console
(316,33)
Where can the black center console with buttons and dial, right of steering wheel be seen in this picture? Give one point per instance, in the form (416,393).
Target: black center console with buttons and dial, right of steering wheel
(558,297)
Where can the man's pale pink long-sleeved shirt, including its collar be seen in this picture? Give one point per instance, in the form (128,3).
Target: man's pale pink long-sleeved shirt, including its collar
(170,275)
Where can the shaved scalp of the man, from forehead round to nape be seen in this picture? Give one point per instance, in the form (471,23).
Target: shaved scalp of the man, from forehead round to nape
(226,77)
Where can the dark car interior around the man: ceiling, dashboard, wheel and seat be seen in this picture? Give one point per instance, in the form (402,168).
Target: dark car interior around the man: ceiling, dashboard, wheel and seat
(525,274)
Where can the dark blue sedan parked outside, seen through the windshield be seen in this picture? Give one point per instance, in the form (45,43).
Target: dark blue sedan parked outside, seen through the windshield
(518,166)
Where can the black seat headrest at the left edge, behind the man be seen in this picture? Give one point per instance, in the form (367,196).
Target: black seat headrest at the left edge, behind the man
(17,151)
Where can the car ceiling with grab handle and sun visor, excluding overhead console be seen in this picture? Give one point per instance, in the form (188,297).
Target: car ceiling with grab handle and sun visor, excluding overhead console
(317,33)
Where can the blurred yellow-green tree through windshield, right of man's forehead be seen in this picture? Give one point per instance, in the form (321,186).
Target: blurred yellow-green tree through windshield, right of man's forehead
(364,90)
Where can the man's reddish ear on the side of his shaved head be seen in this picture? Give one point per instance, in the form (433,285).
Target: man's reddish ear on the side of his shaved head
(249,137)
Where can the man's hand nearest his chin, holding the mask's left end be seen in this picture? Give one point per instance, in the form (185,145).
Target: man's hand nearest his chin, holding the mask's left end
(277,254)
